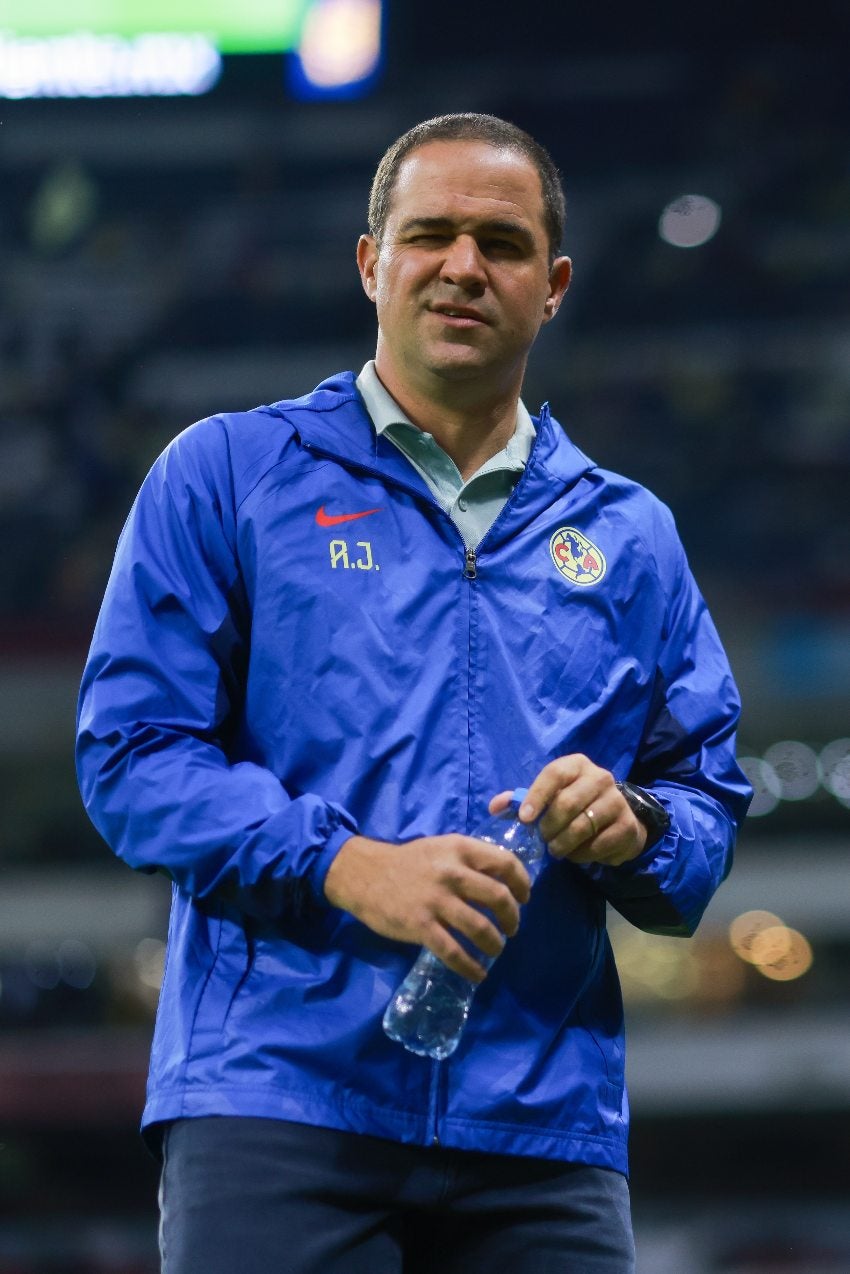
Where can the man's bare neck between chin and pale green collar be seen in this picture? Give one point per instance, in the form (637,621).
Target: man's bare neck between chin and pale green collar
(468,426)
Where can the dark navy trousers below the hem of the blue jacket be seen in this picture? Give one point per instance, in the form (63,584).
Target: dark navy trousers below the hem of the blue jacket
(266,1197)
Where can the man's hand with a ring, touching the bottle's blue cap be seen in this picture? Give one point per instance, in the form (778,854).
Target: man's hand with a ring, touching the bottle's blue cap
(583,816)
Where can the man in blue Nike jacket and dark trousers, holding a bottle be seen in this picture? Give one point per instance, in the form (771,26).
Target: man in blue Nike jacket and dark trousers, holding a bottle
(337,630)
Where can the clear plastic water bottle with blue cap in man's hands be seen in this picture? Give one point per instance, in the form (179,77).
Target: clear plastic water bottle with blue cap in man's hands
(429,1011)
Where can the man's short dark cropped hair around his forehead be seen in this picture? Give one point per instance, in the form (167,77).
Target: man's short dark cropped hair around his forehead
(468,127)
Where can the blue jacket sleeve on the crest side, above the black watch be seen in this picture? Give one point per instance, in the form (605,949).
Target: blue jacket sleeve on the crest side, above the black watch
(688,760)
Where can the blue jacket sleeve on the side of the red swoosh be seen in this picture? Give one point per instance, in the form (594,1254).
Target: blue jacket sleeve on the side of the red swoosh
(161,705)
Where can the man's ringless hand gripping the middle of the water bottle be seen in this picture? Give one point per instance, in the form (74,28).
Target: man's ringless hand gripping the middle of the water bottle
(430,890)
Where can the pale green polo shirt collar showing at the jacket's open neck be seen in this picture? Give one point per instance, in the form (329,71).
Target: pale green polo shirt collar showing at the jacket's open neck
(473,505)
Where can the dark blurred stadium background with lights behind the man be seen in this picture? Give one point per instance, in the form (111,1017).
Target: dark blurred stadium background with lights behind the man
(176,238)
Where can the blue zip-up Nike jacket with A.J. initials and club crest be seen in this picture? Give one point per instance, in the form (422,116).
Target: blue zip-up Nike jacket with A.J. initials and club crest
(295,647)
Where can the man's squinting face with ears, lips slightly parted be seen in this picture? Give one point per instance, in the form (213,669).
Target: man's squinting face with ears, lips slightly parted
(462,280)
